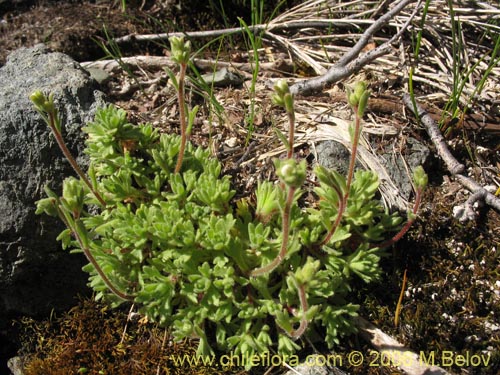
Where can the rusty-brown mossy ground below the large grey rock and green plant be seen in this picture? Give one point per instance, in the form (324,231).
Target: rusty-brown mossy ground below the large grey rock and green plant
(92,339)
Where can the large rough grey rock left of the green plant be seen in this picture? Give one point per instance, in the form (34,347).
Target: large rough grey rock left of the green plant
(36,275)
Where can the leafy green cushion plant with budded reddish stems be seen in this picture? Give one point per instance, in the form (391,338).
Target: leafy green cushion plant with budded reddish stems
(241,278)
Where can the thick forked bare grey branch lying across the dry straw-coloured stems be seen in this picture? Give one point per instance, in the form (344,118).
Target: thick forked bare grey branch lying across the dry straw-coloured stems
(351,62)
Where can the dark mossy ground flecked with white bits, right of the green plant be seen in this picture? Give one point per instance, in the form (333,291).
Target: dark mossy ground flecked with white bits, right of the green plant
(451,301)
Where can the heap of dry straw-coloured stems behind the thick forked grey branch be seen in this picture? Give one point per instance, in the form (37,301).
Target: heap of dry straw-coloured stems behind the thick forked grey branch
(330,28)
